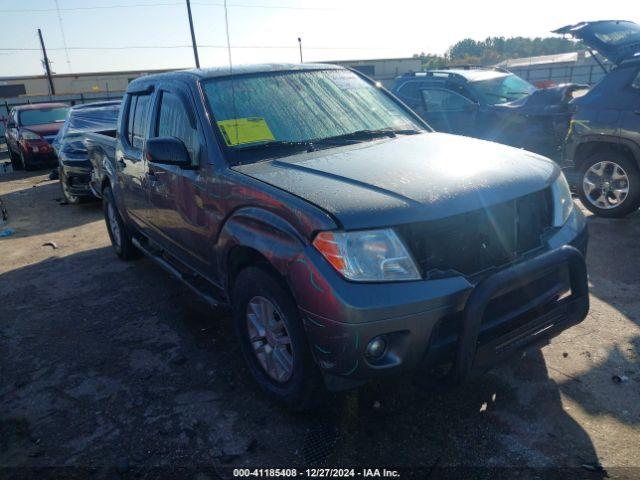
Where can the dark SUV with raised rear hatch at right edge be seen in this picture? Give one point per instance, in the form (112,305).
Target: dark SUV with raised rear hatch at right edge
(602,148)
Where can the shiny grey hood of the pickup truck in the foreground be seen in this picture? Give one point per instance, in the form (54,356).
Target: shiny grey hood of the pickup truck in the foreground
(408,178)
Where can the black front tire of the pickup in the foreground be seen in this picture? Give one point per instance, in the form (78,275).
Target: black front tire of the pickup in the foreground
(301,387)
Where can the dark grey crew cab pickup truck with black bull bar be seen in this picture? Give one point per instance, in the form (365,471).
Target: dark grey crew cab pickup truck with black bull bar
(351,241)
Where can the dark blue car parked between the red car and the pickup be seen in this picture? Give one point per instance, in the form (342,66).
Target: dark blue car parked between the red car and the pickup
(74,166)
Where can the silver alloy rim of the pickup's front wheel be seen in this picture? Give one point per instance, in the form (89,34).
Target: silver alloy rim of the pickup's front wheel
(270,338)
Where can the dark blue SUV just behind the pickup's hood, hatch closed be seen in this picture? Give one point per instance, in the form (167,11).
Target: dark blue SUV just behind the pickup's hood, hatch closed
(492,104)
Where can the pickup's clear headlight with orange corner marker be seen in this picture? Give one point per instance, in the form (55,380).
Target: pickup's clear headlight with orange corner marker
(367,255)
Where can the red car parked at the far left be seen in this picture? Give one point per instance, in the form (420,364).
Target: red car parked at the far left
(30,132)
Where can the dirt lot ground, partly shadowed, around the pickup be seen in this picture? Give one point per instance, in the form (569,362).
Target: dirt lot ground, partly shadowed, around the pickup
(114,368)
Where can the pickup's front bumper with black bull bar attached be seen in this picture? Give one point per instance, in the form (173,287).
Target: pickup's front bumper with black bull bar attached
(449,326)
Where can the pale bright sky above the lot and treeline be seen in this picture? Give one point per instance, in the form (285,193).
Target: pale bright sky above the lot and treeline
(99,34)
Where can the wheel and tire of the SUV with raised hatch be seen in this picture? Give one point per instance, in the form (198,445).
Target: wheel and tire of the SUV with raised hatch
(609,184)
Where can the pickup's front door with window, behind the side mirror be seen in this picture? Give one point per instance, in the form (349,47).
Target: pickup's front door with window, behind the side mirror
(178,196)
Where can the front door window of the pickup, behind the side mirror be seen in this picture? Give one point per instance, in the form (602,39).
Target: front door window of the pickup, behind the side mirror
(173,121)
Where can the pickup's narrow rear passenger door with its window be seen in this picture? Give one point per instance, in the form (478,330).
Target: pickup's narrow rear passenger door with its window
(131,166)
